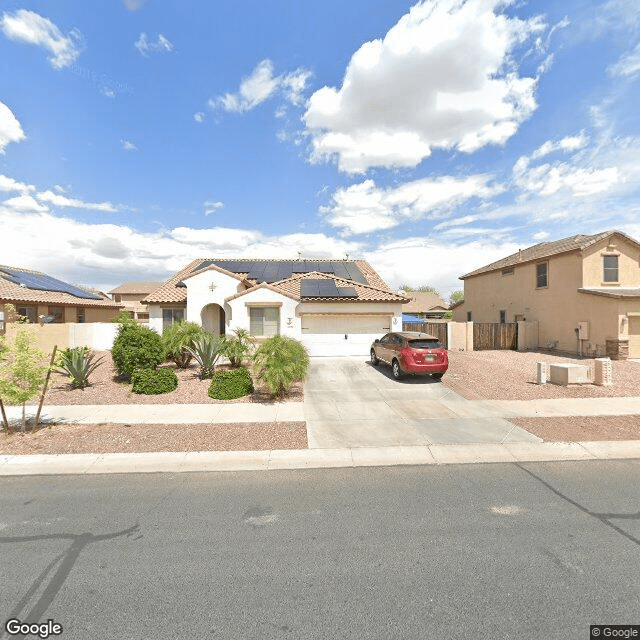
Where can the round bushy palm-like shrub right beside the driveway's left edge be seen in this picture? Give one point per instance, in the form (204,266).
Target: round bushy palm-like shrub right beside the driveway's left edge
(279,361)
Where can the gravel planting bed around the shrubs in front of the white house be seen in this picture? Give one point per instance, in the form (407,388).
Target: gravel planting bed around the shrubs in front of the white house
(105,389)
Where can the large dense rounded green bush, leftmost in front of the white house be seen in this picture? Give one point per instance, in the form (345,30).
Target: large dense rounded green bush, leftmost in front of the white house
(136,347)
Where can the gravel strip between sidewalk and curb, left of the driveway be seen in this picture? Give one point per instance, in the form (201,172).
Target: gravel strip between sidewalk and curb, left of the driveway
(125,438)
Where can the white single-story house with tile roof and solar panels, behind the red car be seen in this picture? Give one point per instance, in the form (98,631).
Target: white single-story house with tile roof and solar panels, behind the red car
(335,307)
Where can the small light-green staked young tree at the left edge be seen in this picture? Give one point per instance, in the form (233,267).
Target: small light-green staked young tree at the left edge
(22,370)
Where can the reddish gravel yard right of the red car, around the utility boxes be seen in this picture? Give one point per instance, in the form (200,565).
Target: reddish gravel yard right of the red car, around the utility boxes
(511,375)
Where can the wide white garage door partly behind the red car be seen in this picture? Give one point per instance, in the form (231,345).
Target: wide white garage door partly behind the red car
(346,335)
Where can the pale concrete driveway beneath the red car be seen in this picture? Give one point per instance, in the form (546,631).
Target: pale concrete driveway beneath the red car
(350,403)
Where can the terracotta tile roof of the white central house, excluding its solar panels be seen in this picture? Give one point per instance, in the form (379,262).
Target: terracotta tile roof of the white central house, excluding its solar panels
(375,290)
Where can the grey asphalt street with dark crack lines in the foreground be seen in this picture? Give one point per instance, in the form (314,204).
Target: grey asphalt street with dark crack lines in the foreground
(527,550)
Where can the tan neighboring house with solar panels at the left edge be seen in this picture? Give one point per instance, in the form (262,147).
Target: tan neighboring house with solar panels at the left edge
(43,299)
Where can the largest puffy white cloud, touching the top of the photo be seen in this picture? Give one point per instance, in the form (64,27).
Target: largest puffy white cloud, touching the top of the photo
(443,77)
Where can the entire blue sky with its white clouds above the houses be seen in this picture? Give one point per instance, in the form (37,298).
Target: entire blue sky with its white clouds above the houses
(429,138)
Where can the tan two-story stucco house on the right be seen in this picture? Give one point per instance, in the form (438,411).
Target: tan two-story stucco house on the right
(583,292)
